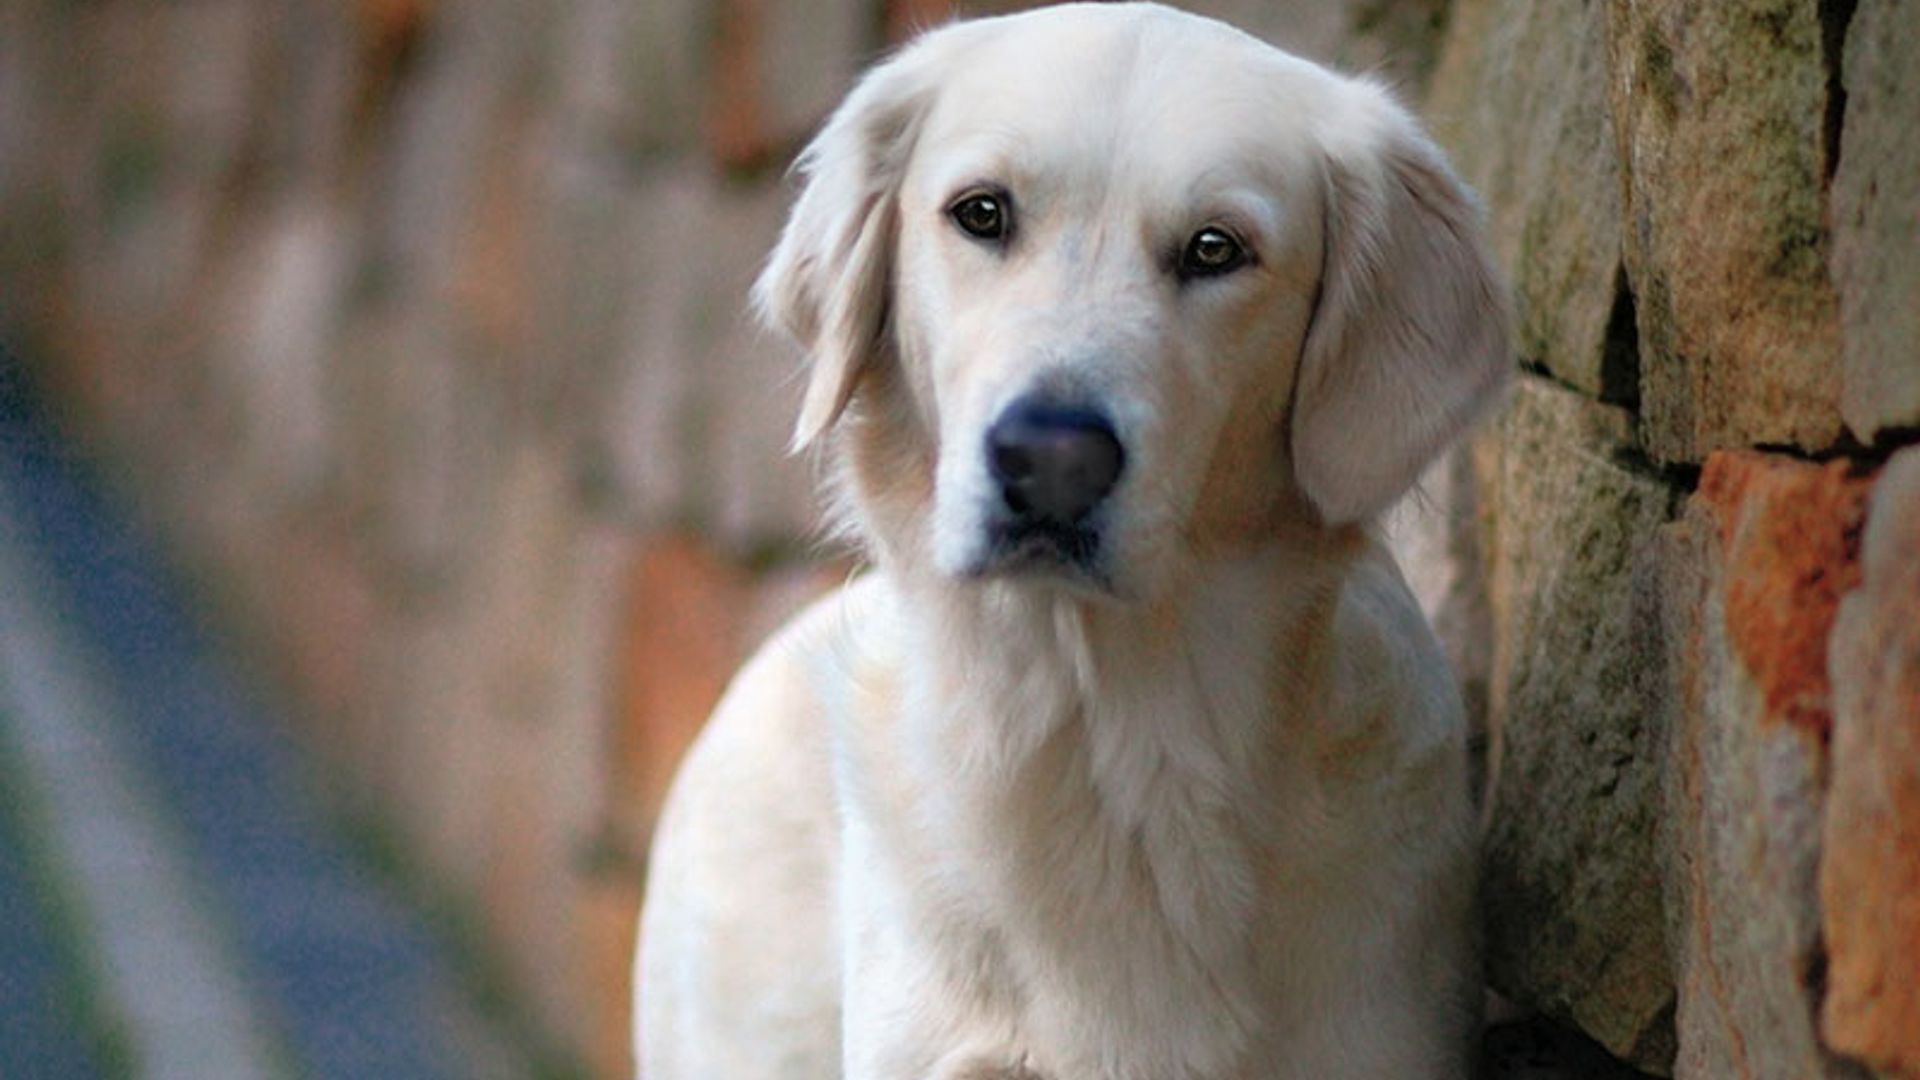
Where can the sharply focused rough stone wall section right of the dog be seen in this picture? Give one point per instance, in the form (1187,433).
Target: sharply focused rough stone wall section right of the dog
(1698,524)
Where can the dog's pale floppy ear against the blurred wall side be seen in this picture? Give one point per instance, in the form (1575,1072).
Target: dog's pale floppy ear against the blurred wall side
(828,282)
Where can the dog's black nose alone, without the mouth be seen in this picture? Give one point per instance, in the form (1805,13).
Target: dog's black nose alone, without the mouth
(1053,462)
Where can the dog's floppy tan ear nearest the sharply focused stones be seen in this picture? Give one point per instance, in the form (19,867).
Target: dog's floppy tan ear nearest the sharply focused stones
(1410,333)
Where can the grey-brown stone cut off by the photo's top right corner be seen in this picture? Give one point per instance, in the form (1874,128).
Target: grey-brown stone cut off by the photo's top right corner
(1877,220)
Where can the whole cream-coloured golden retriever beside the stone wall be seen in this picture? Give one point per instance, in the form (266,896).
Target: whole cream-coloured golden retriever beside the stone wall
(1132,756)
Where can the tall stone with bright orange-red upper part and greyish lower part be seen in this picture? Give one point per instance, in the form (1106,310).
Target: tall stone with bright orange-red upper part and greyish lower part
(1752,576)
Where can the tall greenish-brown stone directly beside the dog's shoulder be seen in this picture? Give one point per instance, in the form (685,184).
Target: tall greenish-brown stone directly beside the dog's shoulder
(1573,875)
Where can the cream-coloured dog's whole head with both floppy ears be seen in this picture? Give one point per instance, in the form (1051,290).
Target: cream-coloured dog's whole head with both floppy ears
(1099,291)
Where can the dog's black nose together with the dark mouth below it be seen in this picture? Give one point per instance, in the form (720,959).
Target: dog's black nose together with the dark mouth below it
(1055,464)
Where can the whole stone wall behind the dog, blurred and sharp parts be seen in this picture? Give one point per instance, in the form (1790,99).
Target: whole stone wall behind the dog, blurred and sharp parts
(416,328)
